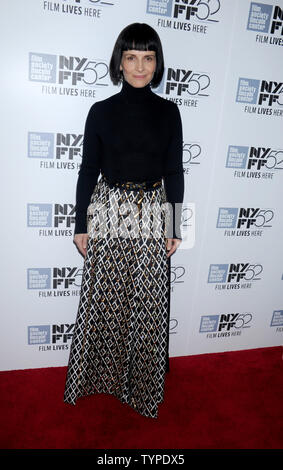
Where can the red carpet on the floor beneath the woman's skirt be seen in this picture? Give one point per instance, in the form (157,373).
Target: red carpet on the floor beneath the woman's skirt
(227,400)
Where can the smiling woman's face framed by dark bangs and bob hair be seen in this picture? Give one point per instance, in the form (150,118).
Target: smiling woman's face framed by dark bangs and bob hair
(138,67)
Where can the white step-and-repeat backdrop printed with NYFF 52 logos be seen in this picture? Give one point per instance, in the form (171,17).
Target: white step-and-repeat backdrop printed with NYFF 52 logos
(223,63)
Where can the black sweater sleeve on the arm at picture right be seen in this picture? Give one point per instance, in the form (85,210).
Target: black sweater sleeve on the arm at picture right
(174,175)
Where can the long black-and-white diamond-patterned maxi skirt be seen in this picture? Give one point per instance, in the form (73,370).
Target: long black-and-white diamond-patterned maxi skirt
(121,335)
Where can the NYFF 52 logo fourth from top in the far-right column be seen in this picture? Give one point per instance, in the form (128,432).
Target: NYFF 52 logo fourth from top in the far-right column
(244,221)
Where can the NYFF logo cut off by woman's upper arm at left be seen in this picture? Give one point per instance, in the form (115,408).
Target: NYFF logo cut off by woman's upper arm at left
(56,151)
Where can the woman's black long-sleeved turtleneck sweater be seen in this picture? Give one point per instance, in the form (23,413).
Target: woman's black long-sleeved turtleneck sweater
(134,135)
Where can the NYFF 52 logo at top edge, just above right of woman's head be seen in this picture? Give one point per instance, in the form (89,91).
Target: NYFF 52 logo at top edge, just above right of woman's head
(185,15)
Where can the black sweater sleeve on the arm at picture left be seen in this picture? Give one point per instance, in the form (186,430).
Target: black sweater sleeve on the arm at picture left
(89,170)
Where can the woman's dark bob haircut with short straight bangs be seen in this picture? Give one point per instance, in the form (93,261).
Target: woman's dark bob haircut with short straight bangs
(141,37)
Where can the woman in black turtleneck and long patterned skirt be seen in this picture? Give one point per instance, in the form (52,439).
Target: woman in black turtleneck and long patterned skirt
(134,140)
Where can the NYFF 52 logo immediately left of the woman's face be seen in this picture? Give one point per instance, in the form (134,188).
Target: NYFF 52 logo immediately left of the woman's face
(71,76)
